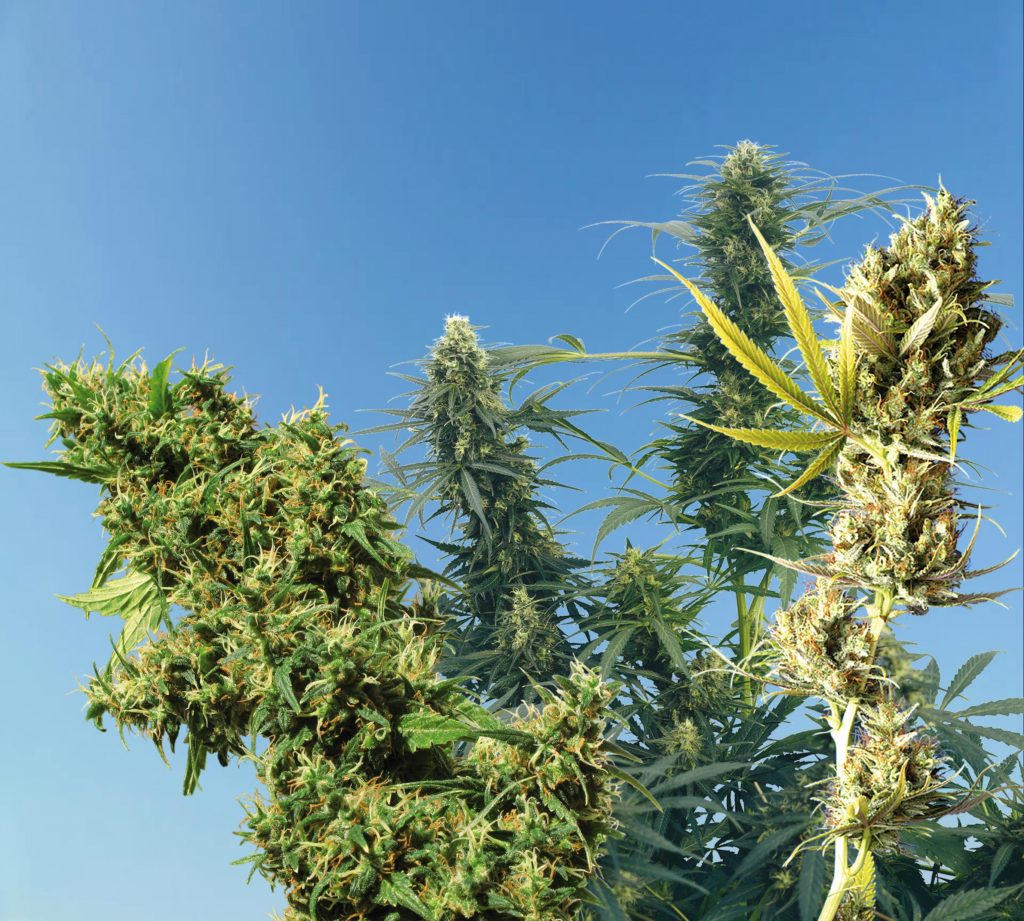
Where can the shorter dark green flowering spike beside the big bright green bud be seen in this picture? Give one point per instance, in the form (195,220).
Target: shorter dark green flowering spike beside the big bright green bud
(516,577)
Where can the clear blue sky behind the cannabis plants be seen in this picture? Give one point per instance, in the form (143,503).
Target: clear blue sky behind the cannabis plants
(306,191)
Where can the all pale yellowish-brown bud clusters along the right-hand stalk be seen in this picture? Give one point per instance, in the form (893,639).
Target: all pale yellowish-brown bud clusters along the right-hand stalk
(921,333)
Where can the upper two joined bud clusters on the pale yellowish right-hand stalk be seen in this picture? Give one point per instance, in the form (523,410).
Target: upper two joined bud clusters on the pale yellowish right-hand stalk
(922,337)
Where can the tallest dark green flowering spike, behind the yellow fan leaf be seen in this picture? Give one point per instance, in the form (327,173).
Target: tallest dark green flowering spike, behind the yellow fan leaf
(791,212)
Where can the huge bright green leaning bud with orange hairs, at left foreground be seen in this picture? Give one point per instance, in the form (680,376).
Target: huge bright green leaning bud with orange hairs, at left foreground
(297,633)
